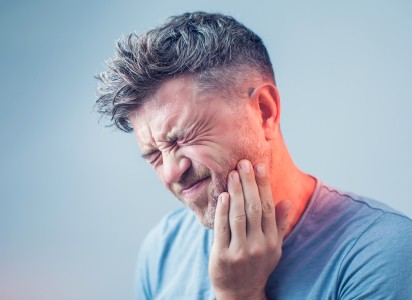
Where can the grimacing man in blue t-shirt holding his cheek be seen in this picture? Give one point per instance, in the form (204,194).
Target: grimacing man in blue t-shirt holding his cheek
(199,94)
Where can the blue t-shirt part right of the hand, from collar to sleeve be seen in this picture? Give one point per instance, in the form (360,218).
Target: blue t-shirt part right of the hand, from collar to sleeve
(346,247)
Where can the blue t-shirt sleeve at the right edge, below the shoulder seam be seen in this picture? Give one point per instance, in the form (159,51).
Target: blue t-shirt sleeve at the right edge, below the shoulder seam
(379,265)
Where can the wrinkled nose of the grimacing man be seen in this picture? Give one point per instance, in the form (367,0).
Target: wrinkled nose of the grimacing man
(174,166)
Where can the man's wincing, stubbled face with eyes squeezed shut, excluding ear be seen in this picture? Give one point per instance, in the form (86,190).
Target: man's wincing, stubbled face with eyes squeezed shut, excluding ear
(194,139)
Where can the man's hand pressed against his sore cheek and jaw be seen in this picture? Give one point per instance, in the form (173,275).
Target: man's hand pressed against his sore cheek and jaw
(248,235)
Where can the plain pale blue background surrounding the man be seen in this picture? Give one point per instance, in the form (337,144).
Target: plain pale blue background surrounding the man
(76,200)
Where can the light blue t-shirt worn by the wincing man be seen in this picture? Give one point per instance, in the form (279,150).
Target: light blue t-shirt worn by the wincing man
(343,247)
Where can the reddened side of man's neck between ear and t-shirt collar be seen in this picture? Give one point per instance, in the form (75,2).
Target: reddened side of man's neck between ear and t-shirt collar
(290,183)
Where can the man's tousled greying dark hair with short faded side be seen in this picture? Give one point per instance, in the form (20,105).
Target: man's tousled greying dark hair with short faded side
(211,47)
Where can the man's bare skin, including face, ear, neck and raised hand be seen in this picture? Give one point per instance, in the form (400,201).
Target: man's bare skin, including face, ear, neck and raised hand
(209,146)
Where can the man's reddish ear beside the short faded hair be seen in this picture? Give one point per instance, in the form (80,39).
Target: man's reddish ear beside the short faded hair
(267,101)
